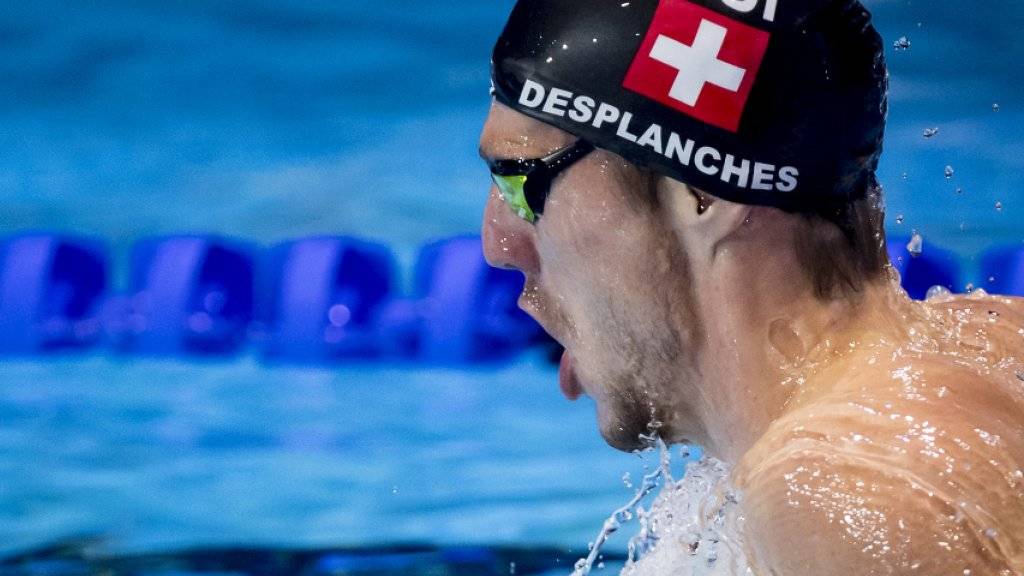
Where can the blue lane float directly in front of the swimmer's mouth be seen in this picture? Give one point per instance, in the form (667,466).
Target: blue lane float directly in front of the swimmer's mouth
(462,311)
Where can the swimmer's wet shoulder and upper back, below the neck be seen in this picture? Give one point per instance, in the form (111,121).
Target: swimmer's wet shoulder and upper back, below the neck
(903,456)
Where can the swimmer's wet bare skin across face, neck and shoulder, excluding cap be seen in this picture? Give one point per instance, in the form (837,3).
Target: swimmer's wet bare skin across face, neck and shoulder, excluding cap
(870,436)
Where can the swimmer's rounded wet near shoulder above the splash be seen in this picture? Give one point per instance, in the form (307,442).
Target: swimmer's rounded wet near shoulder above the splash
(916,469)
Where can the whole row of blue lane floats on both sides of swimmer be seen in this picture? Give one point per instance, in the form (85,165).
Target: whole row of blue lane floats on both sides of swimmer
(316,300)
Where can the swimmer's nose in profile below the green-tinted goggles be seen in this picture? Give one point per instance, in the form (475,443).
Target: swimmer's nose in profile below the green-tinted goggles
(508,240)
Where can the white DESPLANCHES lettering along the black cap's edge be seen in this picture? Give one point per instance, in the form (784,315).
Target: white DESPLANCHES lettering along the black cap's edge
(709,160)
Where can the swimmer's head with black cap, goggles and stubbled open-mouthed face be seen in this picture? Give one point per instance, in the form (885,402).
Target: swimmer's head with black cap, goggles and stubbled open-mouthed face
(727,133)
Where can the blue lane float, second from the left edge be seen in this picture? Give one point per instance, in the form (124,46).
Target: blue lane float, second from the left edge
(191,296)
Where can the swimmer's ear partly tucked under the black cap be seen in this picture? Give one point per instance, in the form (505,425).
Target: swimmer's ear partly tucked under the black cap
(702,222)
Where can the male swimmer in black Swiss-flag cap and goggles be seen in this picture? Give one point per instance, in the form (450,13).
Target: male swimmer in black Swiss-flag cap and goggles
(690,188)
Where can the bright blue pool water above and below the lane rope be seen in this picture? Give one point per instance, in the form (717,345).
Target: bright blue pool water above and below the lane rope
(272,120)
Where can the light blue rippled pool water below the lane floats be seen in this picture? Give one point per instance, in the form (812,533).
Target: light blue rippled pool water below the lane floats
(163,455)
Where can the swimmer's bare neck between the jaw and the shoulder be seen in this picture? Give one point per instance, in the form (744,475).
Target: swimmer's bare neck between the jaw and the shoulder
(760,347)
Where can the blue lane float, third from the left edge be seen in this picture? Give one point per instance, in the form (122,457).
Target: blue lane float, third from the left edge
(320,298)
